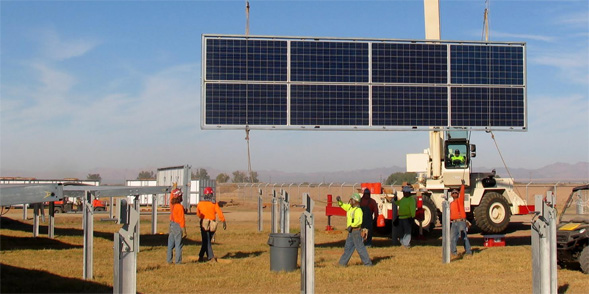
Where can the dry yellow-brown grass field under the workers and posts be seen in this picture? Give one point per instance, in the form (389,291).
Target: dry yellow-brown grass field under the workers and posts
(42,265)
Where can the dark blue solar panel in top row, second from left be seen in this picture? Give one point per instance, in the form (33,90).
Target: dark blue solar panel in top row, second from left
(345,62)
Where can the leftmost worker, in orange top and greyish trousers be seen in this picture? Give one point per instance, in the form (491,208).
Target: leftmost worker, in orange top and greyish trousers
(177,227)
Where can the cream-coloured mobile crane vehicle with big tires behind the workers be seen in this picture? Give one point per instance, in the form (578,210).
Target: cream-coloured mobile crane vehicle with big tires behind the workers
(490,201)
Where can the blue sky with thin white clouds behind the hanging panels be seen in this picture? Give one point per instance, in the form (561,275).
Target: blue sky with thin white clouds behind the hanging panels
(94,85)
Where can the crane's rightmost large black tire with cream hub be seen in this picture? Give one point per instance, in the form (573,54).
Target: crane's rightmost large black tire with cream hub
(493,213)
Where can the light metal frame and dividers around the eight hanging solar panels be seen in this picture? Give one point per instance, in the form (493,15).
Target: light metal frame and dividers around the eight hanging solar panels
(370,127)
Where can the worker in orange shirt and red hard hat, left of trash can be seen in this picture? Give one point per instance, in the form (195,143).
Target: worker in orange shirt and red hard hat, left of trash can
(207,211)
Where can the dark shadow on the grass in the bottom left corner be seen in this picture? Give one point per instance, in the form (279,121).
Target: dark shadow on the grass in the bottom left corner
(18,280)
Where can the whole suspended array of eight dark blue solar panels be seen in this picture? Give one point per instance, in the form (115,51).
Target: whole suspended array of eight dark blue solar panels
(299,83)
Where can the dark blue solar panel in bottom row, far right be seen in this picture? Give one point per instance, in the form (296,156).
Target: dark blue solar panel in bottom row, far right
(503,107)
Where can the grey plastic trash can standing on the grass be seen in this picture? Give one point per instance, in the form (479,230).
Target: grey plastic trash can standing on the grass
(284,249)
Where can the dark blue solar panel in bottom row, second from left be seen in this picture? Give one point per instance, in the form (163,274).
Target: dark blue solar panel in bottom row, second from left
(329,105)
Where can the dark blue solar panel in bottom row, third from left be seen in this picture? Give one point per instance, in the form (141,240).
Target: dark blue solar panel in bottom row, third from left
(409,106)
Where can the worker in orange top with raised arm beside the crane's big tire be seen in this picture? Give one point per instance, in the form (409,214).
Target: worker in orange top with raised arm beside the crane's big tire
(459,224)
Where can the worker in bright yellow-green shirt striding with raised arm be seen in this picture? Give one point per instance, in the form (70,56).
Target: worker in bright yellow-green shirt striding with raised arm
(354,241)
